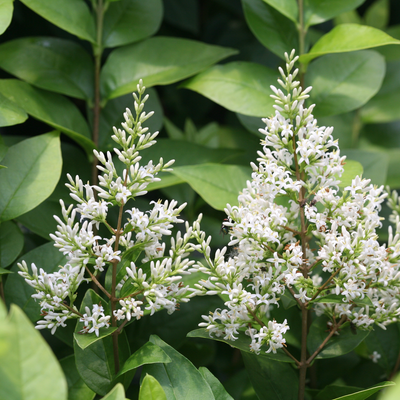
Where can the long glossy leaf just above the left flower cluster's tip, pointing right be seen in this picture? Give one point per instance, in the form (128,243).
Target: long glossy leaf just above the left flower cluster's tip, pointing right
(158,61)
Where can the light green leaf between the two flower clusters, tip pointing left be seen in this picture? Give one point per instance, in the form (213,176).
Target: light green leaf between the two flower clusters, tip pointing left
(217,184)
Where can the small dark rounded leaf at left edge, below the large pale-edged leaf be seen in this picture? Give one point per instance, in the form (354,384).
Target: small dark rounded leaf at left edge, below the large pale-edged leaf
(11,243)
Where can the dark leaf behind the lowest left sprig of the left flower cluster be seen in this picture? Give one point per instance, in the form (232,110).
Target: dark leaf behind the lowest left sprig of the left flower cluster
(17,291)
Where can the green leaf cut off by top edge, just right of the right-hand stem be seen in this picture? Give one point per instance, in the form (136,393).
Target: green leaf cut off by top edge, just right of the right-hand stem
(317,11)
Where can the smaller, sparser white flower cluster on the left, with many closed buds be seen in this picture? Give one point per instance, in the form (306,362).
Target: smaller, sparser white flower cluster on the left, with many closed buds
(140,234)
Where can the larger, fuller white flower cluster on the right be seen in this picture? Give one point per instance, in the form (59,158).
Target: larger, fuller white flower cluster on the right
(295,233)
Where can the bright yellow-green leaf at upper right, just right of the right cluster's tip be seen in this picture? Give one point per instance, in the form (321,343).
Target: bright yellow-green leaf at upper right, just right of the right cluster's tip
(348,37)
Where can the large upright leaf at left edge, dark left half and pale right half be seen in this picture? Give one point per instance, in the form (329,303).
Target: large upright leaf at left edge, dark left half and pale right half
(33,170)
